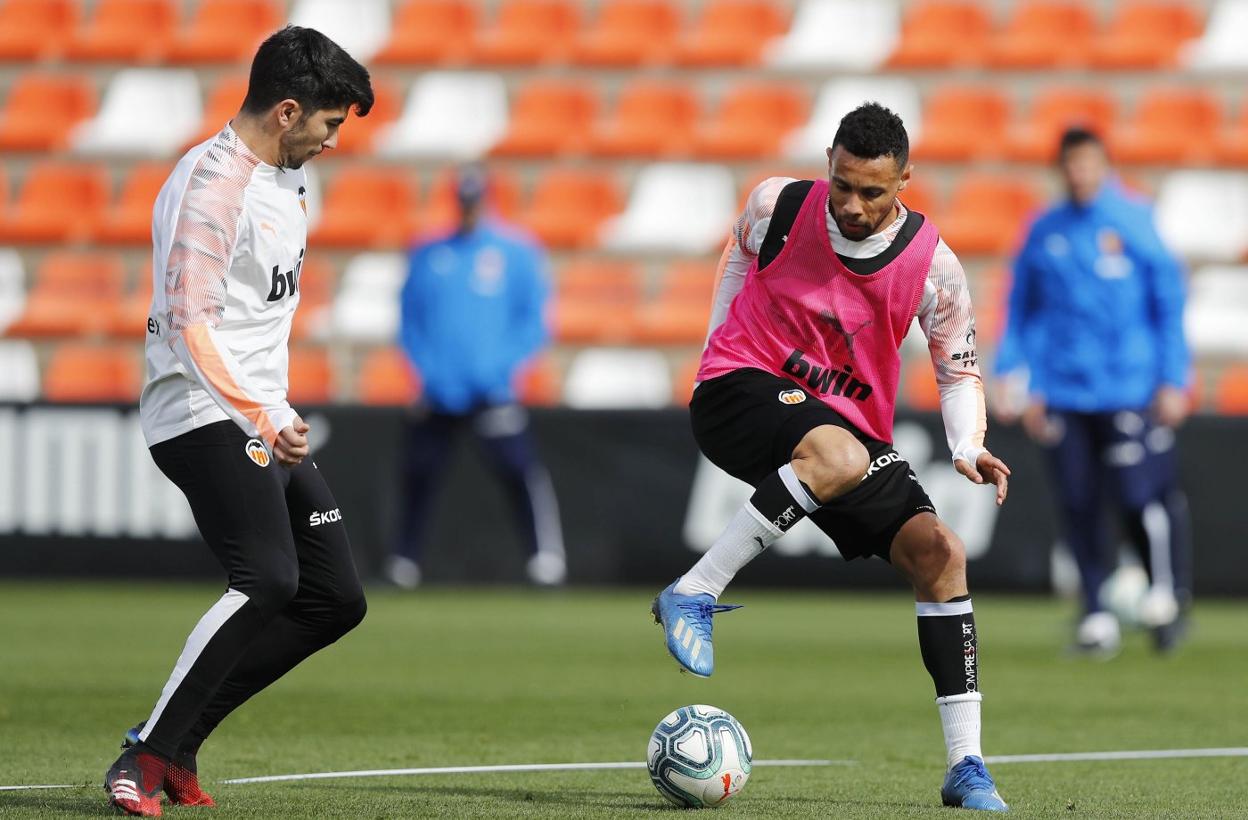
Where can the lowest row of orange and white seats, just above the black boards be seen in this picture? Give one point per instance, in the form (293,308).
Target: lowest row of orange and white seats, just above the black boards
(597,378)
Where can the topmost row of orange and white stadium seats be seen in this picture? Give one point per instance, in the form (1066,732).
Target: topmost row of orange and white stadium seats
(1035,34)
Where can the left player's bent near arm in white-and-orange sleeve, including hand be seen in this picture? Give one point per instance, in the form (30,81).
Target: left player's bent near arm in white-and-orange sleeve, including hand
(197,274)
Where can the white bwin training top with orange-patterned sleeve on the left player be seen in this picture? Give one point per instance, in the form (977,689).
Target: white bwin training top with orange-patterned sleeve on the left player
(229,235)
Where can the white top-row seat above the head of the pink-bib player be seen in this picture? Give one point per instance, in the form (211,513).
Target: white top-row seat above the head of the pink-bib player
(838,36)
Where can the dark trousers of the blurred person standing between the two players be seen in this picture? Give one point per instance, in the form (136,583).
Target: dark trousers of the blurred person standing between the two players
(502,434)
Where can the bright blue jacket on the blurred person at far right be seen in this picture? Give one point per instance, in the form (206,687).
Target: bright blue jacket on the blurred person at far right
(1096,308)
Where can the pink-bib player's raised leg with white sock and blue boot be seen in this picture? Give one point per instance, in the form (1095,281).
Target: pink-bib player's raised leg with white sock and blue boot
(827,464)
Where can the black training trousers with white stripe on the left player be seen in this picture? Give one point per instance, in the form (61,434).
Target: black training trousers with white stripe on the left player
(293,582)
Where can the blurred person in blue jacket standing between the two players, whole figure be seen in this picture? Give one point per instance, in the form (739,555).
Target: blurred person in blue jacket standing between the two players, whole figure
(472,315)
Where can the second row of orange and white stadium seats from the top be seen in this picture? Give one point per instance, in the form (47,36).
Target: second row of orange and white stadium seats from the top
(561,118)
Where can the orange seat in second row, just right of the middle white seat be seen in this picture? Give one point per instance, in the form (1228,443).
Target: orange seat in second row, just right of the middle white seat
(550,118)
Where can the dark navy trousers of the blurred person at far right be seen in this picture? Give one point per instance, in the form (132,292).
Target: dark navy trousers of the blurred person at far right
(1125,460)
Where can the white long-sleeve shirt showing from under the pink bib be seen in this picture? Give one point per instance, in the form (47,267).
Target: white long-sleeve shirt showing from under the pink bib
(945,314)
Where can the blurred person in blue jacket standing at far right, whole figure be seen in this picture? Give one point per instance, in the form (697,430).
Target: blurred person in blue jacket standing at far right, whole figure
(1095,365)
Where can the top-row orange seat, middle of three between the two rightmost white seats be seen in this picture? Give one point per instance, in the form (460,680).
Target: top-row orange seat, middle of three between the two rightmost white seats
(1045,34)
